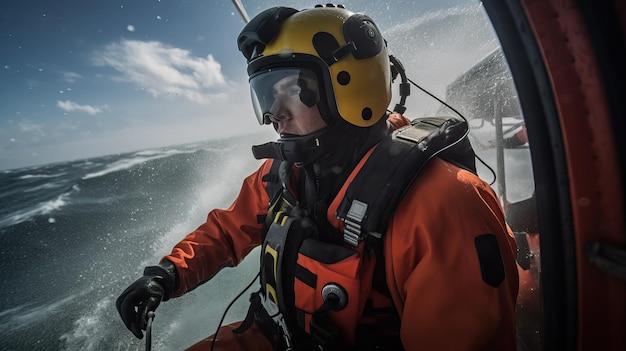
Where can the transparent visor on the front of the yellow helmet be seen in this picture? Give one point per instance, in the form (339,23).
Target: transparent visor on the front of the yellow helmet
(286,86)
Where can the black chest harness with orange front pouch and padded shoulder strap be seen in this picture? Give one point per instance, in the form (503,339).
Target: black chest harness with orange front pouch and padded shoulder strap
(314,292)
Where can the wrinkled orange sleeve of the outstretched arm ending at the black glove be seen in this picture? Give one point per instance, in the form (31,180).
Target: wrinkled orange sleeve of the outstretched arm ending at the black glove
(225,238)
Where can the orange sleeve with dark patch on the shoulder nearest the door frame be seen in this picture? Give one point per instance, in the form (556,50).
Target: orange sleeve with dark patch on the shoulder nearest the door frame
(433,267)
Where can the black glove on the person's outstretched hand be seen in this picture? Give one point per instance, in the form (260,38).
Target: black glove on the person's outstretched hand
(145,294)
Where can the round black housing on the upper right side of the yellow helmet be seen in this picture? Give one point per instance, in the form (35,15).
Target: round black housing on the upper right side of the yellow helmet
(361,30)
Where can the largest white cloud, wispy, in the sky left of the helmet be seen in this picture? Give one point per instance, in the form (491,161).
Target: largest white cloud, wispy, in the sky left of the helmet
(163,70)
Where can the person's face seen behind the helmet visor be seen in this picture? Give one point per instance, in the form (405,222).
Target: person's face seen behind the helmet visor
(289,114)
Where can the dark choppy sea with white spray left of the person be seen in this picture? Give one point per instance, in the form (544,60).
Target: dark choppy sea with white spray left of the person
(73,235)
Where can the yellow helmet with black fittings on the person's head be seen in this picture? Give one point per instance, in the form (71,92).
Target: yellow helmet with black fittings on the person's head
(345,50)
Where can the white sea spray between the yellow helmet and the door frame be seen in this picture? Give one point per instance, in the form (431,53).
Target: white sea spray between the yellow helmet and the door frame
(436,54)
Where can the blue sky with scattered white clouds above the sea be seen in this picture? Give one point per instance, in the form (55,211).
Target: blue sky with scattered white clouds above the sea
(87,78)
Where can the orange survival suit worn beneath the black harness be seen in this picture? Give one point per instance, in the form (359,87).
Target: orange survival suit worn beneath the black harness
(439,285)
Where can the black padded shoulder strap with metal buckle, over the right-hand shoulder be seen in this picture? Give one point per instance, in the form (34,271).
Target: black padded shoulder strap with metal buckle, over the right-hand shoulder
(384,178)
